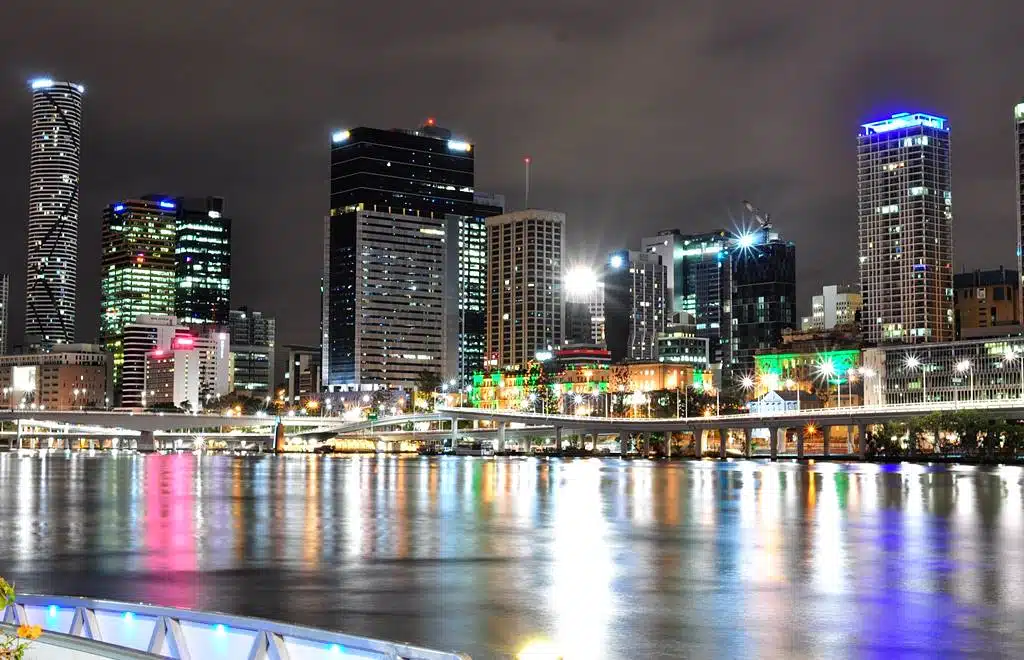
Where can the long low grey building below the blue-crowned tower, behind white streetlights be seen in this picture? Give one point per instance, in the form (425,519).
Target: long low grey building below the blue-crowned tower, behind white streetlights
(967,371)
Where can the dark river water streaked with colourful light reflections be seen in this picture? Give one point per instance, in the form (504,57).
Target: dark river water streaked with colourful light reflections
(600,558)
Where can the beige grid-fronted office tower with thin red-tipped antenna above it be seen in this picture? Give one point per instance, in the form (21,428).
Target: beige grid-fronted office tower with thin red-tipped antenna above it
(526,305)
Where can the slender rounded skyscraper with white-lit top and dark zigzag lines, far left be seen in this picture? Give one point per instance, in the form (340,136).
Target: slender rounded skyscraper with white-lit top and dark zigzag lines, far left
(52,276)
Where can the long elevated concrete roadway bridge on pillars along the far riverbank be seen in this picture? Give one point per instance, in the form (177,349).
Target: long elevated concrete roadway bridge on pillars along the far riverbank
(150,430)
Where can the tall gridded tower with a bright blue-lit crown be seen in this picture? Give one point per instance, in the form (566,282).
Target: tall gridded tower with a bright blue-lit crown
(906,230)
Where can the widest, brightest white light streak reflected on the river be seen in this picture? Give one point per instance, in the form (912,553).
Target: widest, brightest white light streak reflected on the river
(581,596)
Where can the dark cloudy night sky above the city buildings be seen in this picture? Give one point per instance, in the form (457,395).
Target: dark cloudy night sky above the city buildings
(639,116)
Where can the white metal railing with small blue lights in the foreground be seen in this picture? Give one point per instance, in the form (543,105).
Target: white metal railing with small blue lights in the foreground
(126,629)
